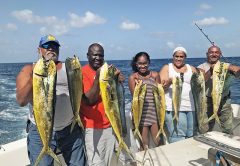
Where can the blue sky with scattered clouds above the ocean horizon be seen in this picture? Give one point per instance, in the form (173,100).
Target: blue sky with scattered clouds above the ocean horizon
(123,27)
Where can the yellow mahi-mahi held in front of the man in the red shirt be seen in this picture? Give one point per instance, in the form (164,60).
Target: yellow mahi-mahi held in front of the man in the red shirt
(109,96)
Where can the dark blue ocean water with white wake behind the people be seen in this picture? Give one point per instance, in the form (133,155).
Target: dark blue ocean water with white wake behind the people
(13,117)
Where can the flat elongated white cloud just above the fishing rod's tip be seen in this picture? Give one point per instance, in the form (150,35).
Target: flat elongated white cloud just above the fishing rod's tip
(212,21)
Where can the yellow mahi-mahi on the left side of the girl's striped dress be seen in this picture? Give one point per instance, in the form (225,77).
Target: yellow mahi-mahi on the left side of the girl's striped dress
(137,106)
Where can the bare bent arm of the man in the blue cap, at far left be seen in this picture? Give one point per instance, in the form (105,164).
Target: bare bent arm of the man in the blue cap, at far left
(24,86)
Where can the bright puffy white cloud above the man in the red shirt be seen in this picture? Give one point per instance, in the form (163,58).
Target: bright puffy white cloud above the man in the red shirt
(88,19)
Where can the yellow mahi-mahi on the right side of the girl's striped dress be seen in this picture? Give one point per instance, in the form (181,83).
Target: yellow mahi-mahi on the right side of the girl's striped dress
(160,105)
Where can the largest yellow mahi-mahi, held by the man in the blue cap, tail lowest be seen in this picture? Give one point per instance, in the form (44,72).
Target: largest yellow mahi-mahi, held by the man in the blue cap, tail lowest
(44,95)
